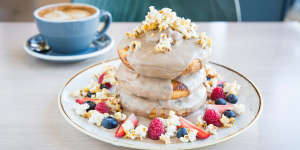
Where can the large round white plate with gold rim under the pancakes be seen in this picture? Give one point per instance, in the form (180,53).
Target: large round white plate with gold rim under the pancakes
(248,95)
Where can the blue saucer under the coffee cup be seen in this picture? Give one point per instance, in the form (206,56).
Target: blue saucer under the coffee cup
(97,47)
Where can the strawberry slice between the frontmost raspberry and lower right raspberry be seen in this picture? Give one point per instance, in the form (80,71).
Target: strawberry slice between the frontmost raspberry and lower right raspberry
(201,134)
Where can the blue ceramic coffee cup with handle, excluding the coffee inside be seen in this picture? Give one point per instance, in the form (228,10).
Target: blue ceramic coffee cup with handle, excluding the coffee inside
(71,36)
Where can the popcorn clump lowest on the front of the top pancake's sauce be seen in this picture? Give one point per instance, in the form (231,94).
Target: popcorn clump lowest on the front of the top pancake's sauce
(164,44)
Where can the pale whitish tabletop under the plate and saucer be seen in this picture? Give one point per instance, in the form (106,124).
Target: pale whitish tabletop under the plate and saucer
(267,53)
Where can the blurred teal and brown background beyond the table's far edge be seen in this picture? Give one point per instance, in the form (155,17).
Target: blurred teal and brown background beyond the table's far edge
(197,10)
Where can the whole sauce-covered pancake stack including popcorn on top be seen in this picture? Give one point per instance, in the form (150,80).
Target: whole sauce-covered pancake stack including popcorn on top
(162,66)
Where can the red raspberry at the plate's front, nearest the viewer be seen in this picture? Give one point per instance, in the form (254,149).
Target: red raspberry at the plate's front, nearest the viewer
(156,128)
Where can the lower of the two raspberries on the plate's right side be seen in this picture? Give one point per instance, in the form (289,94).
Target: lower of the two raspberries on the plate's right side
(211,116)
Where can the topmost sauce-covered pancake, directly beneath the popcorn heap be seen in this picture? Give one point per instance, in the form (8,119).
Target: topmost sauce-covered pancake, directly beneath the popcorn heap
(185,57)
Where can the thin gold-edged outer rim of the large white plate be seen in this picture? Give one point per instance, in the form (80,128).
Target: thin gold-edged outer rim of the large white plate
(118,143)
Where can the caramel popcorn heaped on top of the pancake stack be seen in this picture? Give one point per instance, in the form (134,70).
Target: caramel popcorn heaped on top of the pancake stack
(161,20)
